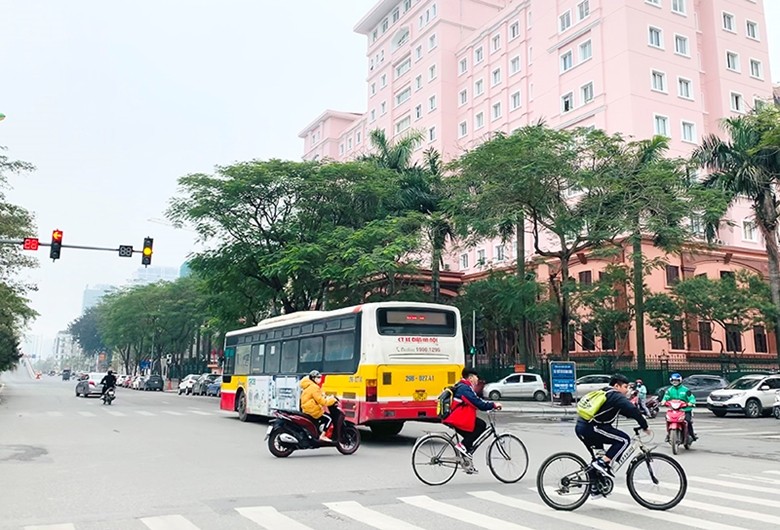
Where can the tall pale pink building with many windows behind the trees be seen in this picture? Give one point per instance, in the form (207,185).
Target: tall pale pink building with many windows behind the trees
(459,70)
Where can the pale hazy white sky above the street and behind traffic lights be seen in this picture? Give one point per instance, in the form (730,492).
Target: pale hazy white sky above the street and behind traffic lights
(113,101)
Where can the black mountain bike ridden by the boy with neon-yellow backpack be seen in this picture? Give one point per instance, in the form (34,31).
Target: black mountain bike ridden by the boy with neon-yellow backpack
(655,480)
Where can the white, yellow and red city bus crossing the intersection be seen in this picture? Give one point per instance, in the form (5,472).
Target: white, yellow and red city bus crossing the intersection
(387,362)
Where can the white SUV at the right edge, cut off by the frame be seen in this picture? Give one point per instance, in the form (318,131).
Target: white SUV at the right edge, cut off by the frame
(751,395)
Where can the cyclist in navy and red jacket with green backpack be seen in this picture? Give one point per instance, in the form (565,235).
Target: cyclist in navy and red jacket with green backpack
(463,417)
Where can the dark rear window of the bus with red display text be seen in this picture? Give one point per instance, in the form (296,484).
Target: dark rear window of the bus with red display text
(427,322)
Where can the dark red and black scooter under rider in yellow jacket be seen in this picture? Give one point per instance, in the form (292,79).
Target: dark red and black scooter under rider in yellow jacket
(293,430)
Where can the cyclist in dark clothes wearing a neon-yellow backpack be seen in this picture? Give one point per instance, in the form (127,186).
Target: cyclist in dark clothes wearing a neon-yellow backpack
(599,430)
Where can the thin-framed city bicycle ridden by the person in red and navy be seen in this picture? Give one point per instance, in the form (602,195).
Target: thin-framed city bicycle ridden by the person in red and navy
(435,460)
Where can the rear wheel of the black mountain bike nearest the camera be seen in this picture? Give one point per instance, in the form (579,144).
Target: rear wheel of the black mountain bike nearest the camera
(563,482)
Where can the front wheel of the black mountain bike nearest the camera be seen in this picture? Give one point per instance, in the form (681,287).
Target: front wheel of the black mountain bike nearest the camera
(656,481)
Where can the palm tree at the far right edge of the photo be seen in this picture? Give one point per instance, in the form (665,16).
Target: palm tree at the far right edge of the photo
(748,165)
